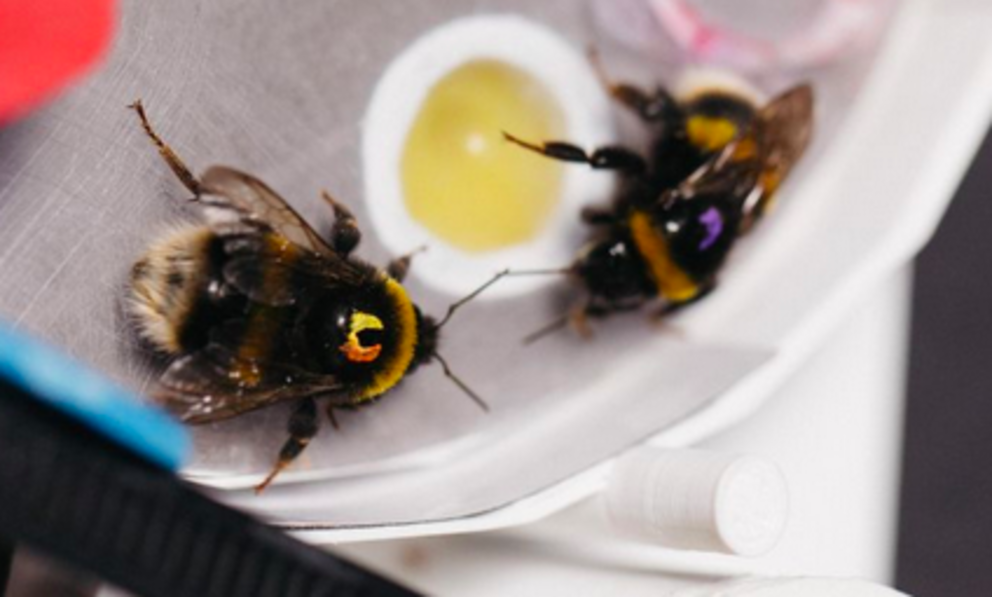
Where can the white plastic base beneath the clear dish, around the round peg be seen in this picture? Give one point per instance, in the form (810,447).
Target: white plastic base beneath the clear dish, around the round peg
(835,430)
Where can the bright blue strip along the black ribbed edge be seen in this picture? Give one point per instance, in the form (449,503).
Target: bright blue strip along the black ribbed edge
(64,384)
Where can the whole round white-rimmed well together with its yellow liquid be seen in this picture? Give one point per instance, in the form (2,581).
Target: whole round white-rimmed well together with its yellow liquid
(551,75)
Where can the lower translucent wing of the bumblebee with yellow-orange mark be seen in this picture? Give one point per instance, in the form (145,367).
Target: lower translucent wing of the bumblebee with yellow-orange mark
(214,384)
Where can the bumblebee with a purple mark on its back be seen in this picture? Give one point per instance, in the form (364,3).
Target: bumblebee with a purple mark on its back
(715,163)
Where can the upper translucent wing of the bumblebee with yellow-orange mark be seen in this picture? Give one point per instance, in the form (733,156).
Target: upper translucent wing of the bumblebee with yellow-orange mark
(234,198)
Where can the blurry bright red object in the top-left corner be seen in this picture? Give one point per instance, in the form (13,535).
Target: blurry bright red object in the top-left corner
(45,44)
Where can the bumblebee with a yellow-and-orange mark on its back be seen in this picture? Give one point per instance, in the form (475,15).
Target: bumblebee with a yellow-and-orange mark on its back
(257,309)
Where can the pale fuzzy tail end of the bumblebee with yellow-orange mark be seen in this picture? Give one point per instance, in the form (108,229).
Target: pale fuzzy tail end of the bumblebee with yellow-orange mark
(167,285)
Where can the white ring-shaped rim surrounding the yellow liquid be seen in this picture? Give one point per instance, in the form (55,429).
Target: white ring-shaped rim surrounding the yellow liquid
(396,101)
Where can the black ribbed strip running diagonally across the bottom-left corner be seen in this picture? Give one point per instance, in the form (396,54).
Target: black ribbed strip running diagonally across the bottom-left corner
(67,491)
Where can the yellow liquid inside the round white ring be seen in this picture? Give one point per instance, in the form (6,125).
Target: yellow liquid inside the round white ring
(461,179)
